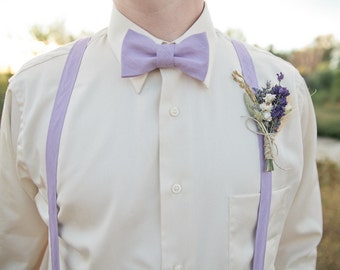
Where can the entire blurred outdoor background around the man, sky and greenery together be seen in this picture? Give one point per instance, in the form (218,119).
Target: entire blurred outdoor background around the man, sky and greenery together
(303,32)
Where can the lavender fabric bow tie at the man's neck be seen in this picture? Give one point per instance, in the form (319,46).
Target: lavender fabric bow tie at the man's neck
(140,55)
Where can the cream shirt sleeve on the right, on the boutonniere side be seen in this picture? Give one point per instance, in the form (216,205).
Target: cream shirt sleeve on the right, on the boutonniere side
(303,227)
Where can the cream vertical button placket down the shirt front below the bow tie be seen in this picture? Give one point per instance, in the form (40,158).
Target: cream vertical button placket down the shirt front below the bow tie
(172,172)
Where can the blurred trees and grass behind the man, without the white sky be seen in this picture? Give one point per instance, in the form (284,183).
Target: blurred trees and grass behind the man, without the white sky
(319,64)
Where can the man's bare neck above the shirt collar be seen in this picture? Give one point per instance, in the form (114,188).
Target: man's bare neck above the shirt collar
(164,19)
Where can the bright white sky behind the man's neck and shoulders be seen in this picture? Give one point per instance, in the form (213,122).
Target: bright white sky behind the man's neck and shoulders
(285,24)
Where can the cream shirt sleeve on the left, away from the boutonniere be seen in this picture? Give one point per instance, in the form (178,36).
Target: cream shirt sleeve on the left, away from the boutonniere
(23,234)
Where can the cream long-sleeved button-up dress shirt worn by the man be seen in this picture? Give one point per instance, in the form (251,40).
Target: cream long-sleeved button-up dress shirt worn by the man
(158,171)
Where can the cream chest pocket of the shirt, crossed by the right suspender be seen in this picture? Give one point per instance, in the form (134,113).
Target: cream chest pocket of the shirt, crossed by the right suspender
(243,211)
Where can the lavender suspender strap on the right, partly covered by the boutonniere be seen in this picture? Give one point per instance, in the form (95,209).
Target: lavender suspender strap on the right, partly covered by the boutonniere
(249,74)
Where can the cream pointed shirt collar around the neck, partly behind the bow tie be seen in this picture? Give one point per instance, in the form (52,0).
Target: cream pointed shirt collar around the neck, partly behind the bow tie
(119,25)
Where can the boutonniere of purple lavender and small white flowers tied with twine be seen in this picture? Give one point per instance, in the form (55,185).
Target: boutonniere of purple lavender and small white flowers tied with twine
(267,107)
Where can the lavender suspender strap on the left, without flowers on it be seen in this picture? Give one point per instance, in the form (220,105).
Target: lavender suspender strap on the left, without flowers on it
(61,102)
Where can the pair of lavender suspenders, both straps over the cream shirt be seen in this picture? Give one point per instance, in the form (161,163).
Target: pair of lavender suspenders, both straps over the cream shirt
(63,96)
